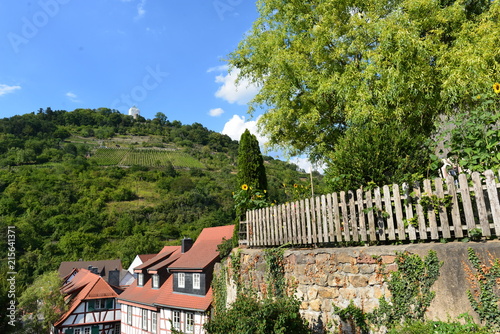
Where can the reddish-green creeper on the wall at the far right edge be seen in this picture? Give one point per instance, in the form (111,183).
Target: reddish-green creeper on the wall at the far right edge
(484,295)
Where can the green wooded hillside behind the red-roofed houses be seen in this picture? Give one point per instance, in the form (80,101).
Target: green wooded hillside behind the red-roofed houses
(67,204)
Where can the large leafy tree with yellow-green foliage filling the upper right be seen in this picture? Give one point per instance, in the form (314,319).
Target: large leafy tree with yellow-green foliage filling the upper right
(325,66)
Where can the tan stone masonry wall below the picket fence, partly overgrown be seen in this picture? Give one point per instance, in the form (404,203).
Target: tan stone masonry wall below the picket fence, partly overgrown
(323,277)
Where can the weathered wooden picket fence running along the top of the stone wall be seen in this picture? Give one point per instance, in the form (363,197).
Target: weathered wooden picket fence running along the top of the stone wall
(451,208)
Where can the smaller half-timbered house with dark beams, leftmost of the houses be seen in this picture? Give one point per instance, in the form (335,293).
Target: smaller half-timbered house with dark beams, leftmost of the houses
(93,308)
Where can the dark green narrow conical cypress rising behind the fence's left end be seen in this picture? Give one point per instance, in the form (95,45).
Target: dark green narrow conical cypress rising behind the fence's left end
(251,170)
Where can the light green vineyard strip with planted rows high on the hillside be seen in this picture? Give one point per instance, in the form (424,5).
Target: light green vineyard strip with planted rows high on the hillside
(144,157)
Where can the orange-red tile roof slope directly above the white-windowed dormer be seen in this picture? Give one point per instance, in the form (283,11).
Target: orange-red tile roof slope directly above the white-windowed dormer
(204,250)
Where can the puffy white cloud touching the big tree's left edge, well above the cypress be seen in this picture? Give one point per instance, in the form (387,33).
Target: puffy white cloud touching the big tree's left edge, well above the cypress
(240,93)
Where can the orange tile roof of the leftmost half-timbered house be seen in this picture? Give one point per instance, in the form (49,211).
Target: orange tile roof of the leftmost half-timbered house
(85,285)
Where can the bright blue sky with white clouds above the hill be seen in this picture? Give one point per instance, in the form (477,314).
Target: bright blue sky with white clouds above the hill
(159,55)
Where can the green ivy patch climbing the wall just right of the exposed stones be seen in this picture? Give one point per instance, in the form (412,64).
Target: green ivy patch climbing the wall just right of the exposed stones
(410,289)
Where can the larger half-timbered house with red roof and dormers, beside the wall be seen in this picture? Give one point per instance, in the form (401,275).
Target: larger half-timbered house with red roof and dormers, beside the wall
(173,289)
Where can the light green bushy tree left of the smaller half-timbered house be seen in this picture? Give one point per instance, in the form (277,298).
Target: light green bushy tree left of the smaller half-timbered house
(43,303)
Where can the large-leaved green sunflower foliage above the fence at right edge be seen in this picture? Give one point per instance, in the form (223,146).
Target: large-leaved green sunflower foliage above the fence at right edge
(474,135)
